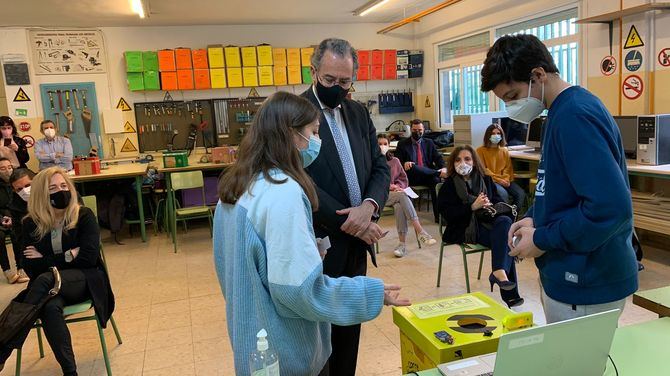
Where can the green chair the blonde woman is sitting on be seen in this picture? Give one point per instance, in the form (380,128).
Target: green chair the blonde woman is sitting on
(75,309)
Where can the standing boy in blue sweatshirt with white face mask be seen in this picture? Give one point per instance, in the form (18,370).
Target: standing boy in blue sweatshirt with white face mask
(580,226)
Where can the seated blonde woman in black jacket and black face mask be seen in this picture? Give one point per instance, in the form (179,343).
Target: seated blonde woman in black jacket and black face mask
(59,232)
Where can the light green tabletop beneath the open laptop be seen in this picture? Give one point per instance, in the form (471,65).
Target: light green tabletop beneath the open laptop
(639,349)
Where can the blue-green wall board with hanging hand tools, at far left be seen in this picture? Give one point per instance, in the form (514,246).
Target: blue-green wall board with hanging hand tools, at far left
(55,109)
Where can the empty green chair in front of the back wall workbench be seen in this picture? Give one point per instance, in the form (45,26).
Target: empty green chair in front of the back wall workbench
(188,180)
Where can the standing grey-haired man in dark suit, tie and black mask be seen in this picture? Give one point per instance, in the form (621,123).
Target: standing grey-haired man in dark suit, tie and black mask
(352,181)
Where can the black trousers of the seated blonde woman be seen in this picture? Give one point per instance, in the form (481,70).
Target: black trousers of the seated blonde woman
(73,290)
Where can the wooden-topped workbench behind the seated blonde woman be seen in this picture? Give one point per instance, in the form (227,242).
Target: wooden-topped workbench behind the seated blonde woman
(123,171)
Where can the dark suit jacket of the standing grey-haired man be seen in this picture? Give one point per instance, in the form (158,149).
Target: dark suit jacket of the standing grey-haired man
(331,186)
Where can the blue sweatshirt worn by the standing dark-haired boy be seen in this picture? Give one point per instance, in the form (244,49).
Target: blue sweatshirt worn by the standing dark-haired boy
(583,212)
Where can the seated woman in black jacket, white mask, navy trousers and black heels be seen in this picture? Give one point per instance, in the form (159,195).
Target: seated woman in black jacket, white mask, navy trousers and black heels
(467,192)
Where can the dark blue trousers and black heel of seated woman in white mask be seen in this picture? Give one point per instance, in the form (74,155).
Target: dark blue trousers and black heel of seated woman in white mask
(495,238)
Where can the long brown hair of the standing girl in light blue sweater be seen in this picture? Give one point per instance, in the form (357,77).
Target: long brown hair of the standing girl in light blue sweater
(268,145)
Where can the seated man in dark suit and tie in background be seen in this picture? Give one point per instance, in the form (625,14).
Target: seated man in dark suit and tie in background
(422,162)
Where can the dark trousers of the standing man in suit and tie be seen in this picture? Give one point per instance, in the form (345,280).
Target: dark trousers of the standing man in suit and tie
(345,339)
